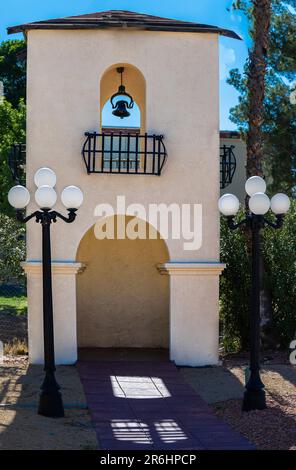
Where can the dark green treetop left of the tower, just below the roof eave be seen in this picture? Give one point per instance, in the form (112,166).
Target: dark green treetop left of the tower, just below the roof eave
(13,70)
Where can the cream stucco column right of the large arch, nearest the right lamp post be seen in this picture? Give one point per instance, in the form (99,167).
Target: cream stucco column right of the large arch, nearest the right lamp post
(194,312)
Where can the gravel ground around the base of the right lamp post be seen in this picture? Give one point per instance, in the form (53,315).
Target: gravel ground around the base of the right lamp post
(223,387)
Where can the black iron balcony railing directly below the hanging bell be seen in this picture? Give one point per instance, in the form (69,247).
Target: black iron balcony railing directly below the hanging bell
(124,153)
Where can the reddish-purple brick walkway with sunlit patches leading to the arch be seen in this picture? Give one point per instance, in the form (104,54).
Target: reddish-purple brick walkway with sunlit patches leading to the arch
(148,406)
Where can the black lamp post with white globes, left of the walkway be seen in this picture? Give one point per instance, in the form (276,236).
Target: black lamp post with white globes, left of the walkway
(50,402)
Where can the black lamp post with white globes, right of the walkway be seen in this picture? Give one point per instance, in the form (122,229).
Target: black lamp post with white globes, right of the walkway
(259,204)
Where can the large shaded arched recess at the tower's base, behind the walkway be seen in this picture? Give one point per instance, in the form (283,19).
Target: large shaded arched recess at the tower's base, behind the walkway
(122,300)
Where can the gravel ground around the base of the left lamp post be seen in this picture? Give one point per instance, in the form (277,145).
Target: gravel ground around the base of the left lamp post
(20,425)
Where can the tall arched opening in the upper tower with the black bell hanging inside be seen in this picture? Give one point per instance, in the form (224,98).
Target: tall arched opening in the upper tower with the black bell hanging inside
(122,117)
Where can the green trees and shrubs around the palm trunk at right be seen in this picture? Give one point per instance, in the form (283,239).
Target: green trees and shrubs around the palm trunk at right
(279,146)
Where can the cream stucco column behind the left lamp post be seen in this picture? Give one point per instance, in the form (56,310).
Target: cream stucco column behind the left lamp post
(64,310)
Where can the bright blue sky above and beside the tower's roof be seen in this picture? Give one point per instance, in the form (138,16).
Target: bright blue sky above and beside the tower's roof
(233,53)
